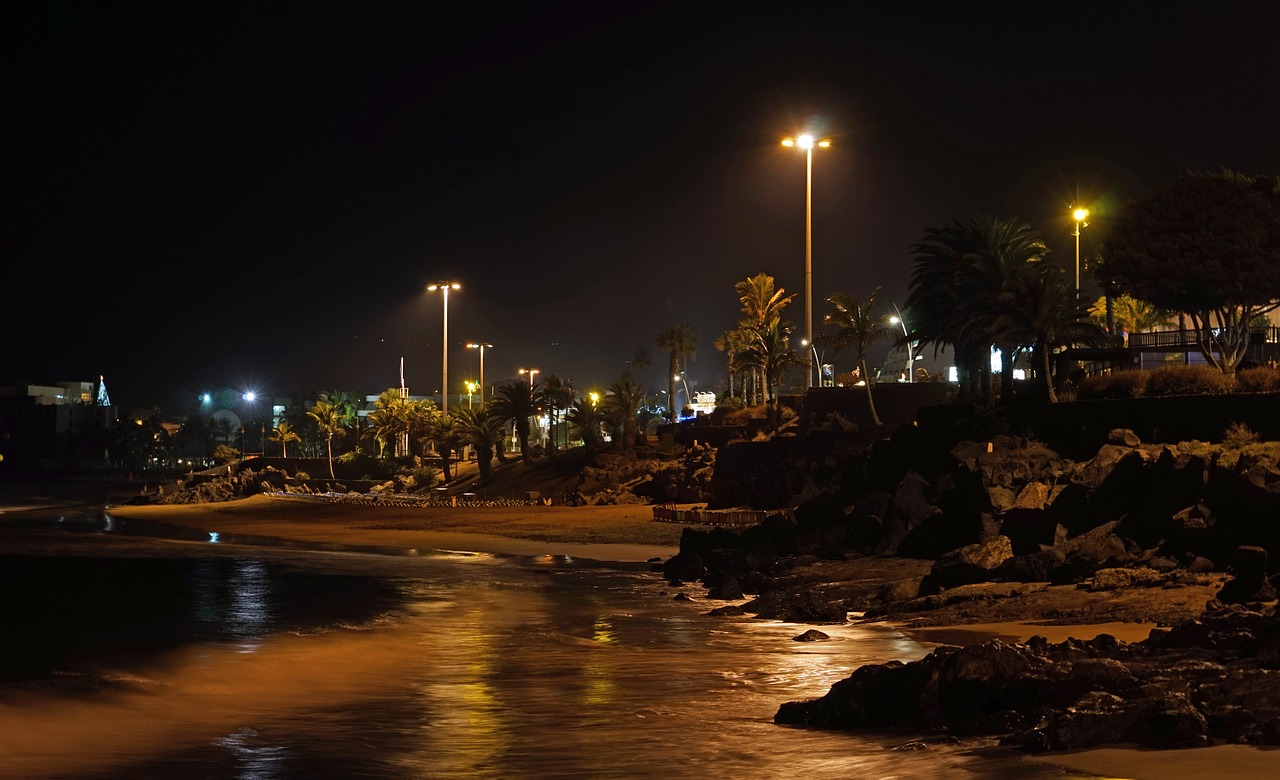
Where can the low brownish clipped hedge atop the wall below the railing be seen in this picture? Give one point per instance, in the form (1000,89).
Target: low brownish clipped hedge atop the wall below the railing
(1180,381)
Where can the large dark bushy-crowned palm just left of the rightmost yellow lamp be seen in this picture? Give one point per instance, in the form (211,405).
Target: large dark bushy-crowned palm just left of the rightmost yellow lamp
(961,271)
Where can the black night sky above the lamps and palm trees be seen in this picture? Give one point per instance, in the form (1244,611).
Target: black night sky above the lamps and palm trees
(257,195)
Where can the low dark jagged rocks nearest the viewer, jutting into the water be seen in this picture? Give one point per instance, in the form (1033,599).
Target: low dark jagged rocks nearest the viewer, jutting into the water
(1215,679)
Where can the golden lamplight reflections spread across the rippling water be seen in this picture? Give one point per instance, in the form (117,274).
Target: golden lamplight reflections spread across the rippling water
(492,669)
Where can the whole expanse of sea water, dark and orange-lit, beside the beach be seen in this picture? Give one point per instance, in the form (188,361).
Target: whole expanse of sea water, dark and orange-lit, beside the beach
(138,653)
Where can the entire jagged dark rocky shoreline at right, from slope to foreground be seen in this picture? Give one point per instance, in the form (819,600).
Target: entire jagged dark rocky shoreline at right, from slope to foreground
(1173,536)
